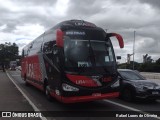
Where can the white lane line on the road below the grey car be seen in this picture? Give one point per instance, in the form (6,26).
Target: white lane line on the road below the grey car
(129,108)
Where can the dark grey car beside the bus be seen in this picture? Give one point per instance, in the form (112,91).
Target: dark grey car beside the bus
(134,86)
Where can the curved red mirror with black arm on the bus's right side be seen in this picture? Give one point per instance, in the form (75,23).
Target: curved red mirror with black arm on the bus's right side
(119,38)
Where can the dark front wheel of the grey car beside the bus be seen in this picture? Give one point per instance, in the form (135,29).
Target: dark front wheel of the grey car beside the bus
(128,95)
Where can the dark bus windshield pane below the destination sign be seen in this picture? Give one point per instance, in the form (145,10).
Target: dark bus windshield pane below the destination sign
(87,53)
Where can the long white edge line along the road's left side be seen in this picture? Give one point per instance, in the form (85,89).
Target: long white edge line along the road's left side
(30,102)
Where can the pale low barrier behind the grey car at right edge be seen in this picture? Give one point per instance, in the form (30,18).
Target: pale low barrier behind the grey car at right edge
(151,75)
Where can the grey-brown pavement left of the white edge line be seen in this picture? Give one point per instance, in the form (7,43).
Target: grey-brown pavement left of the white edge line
(10,98)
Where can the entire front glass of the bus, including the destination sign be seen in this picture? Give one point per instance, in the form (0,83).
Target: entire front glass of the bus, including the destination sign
(88,51)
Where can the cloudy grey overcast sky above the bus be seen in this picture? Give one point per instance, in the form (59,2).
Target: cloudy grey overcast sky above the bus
(21,21)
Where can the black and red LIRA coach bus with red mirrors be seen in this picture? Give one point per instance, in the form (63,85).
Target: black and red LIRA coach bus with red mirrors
(73,61)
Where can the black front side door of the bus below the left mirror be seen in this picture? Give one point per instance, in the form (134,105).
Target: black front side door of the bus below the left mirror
(51,60)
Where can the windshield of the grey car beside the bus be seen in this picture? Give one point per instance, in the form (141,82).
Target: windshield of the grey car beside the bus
(131,75)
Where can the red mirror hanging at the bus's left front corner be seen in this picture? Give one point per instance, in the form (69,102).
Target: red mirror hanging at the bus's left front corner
(59,38)
